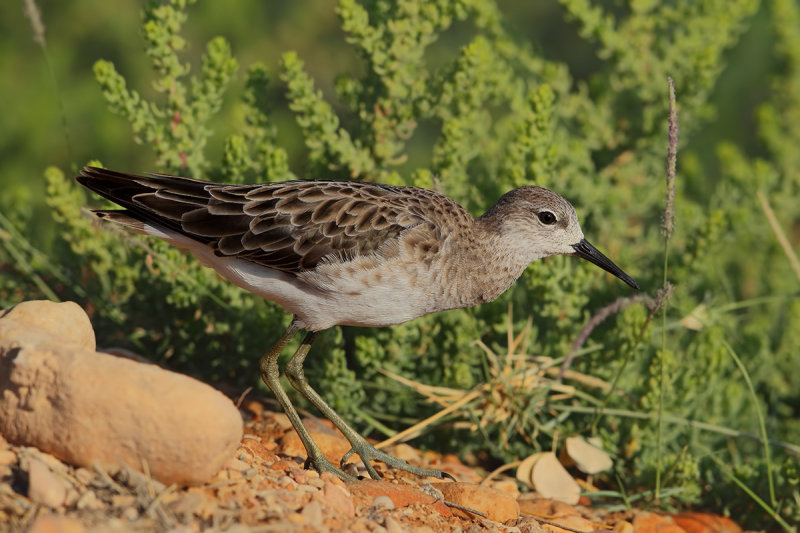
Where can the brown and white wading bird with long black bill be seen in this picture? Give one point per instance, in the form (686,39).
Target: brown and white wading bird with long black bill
(346,253)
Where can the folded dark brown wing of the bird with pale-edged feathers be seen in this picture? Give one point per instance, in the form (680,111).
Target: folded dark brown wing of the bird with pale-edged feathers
(290,226)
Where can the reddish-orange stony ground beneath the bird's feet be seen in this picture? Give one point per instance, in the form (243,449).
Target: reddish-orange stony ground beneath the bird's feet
(265,489)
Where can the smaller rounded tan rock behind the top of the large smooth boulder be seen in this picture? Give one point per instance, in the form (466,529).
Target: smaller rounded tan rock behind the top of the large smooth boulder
(65,321)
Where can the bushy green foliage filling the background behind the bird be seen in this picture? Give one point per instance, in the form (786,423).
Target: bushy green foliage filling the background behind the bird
(492,113)
